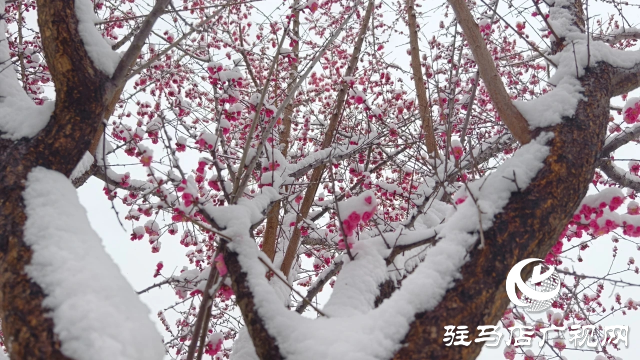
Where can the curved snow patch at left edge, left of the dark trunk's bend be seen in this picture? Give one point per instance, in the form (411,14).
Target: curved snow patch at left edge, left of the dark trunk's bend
(19,115)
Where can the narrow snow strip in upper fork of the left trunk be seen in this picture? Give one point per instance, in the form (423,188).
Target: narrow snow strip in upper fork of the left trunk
(97,47)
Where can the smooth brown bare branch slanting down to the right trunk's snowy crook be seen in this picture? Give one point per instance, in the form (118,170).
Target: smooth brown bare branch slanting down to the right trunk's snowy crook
(509,114)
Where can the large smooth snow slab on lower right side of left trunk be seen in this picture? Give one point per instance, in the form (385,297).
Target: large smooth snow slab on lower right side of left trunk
(96,313)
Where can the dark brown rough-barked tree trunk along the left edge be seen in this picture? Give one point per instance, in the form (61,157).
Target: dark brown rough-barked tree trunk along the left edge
(81,90)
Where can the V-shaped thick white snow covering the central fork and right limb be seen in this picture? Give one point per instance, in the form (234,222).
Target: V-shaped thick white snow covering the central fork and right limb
(348,333)
